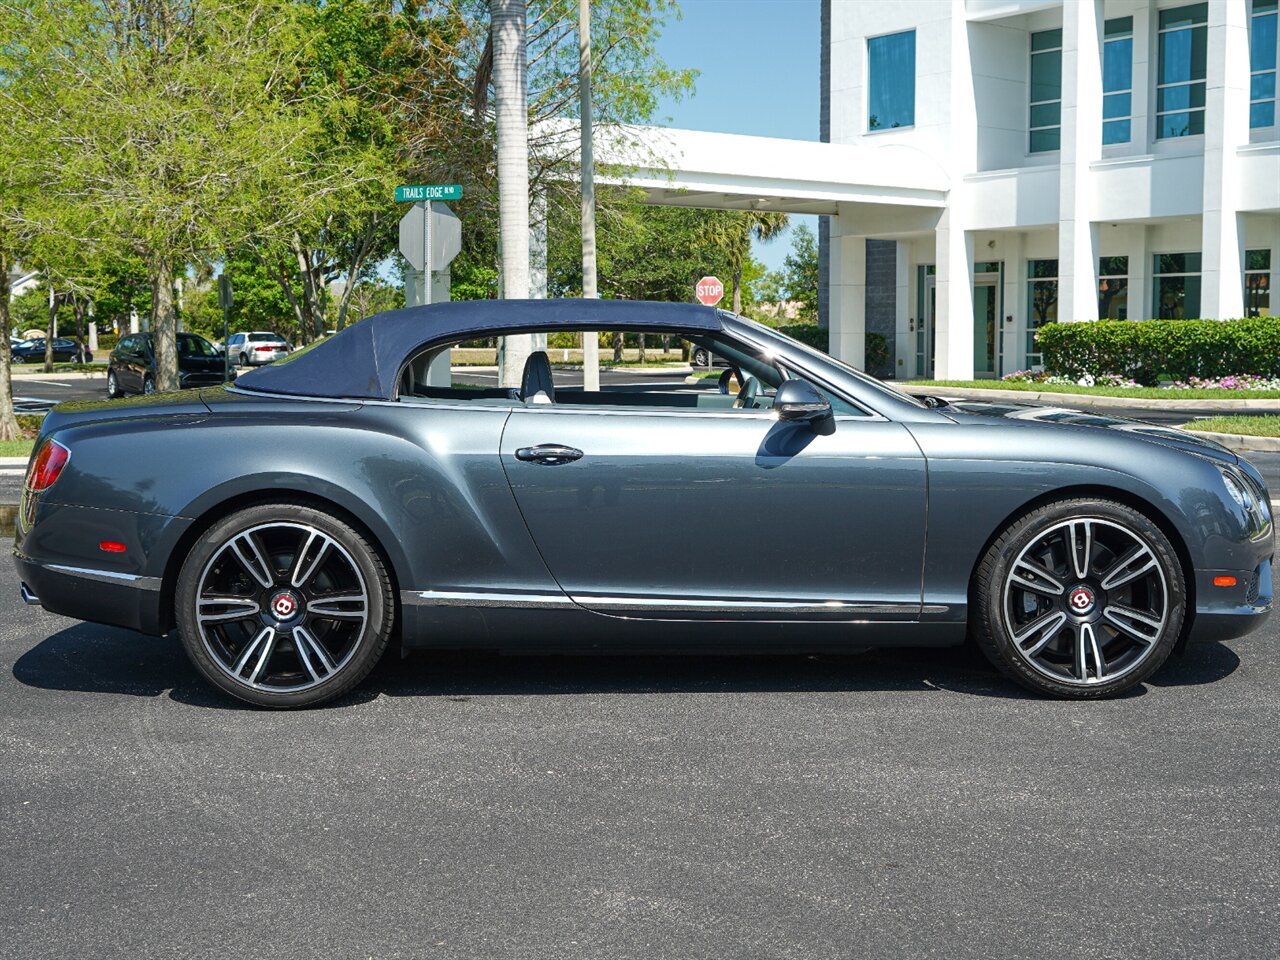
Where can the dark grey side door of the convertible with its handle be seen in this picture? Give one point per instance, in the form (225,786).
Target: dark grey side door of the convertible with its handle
(726,514)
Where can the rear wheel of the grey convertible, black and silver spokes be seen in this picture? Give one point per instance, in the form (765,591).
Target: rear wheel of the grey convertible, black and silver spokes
(285,606)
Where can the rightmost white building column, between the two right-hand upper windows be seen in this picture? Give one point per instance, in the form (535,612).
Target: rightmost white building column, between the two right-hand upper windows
(1227,129)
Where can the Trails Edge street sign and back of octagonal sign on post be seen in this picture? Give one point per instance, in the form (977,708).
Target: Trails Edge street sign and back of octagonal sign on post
(431,236)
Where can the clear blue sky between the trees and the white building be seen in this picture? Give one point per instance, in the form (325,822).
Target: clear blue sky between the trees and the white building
(758,63)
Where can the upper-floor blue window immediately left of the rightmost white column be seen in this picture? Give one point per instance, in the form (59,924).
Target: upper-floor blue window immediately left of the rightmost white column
(1181,81)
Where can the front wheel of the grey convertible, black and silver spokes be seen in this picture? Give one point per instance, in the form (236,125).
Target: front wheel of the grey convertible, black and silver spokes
(1080,600)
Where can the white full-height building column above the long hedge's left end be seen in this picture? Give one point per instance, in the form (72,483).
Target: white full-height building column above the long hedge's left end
(1082,147)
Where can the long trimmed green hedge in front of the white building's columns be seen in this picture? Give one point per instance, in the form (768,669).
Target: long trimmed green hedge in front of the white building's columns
(1149,351)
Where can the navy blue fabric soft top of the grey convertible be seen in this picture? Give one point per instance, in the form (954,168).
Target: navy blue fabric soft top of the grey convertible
(364,360)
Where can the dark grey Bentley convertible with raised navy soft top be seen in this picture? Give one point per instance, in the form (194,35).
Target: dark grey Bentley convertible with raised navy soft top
(354,495)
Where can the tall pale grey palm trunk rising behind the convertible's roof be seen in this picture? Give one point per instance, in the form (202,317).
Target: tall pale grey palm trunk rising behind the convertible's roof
(511,106)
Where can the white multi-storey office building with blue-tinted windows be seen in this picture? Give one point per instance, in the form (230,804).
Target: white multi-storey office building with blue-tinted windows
(1104,158)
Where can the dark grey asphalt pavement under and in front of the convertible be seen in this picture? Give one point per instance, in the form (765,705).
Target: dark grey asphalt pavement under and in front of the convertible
(879,806)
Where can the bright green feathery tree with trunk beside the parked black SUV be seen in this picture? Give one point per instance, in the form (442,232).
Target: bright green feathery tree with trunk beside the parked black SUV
(176,122)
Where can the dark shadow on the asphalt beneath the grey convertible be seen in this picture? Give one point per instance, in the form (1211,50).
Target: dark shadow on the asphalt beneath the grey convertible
(90,659)
